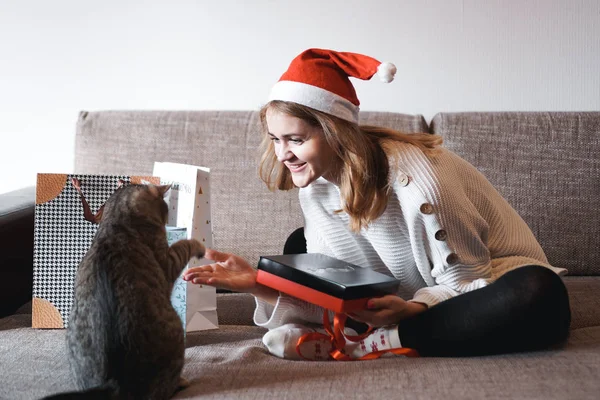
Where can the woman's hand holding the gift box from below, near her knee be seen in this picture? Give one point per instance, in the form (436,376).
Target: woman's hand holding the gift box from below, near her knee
(387,310)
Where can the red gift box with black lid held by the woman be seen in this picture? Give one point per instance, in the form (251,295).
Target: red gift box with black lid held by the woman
(334,284)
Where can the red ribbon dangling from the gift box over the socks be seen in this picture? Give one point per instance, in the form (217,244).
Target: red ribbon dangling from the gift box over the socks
(337,339)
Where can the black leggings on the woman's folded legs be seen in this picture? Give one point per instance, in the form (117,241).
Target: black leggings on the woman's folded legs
(525,309)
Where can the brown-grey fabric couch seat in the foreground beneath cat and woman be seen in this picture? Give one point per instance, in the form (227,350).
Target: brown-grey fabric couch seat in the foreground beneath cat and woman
(232,363)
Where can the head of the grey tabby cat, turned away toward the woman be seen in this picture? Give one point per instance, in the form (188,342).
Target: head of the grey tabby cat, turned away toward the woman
(138,201)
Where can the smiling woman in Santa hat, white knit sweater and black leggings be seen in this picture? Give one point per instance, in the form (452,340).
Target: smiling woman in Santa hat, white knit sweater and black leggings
(473,278)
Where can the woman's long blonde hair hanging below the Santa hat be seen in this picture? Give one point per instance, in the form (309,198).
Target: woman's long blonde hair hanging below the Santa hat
(364,152)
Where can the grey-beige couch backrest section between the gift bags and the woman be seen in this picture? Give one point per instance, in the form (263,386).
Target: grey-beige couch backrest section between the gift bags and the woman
(247,219)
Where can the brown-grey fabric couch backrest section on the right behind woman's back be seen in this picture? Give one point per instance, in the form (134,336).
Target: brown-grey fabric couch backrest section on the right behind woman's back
(547,165)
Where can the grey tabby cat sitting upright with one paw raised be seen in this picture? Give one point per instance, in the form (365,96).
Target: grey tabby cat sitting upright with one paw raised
(125,340)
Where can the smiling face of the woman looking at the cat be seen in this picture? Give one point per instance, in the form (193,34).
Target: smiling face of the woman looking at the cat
(302,148)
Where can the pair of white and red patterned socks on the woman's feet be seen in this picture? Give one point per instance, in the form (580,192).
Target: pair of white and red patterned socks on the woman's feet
(282,342)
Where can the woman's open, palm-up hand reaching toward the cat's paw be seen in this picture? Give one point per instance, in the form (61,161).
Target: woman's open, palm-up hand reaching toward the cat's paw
(229,272)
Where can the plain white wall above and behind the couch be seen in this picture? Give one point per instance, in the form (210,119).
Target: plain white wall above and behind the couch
(59,57)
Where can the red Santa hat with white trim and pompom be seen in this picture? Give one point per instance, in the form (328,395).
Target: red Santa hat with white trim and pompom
(319,79)
